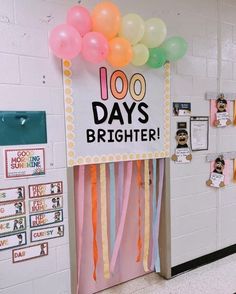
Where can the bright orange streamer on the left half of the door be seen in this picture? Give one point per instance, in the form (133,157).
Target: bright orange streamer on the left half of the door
(93,175)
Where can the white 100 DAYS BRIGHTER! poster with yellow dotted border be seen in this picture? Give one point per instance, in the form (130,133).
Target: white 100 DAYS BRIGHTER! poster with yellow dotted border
(114,115)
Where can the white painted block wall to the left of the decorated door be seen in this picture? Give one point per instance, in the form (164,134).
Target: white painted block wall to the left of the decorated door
(25,60)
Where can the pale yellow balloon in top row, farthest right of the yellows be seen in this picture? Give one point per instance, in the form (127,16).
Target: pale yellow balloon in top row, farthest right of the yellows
(155,33)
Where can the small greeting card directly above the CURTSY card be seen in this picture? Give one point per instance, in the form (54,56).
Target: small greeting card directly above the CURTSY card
(47,218)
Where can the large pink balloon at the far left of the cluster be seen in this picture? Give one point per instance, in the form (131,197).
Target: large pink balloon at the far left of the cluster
(65,42)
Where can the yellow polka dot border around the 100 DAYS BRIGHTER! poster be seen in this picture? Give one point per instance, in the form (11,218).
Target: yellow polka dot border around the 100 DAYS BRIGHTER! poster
(70,135)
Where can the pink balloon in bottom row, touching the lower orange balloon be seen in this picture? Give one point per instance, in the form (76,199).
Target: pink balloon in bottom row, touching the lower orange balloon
(95,47)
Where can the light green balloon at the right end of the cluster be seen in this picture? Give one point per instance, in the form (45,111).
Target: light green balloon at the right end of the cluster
(175,48)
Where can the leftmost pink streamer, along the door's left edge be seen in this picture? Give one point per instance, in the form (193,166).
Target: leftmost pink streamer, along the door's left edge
(79,208)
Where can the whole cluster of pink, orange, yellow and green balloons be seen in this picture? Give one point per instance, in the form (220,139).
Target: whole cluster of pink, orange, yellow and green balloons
(105,35)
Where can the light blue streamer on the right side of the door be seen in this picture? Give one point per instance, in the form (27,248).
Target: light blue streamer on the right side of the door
(154,207)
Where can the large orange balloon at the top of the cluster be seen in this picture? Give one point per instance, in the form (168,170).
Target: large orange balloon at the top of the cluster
(106,19)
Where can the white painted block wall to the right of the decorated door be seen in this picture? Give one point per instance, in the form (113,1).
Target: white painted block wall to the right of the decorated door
(202,218)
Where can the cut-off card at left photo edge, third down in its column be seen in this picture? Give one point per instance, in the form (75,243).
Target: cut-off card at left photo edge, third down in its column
(8,226)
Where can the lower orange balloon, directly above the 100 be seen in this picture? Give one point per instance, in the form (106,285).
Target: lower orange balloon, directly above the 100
(120,53)
